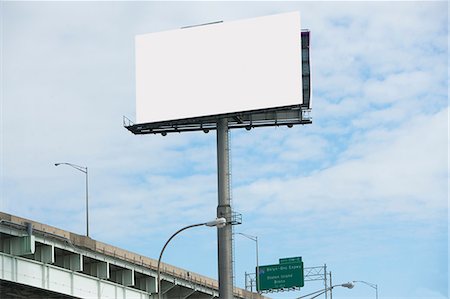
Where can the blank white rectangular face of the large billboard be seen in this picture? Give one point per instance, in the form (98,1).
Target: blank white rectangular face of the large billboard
(219,68)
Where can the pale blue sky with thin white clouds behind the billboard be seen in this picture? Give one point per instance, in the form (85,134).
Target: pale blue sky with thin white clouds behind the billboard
(363,189)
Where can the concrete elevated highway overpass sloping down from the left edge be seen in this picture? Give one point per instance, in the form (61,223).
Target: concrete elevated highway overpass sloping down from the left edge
(41,261)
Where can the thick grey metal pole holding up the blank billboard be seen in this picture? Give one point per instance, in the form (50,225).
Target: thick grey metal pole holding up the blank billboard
(224,235)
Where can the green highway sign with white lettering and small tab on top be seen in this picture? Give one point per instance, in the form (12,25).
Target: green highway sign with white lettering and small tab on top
(286,275)
